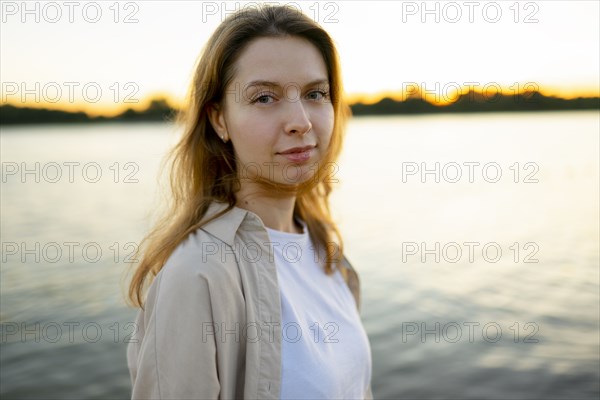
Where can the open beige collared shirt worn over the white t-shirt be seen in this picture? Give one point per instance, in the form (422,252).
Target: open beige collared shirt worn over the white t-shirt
(211,328)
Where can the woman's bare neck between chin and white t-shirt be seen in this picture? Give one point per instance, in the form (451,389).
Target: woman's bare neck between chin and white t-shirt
(276,212)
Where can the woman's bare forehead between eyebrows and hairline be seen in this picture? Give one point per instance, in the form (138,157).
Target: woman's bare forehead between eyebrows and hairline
(280,59)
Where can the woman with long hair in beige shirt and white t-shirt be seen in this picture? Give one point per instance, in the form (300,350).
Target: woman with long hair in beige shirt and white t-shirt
(252,296)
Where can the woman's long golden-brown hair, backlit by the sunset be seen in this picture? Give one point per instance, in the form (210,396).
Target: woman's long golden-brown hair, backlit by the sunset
(203,168)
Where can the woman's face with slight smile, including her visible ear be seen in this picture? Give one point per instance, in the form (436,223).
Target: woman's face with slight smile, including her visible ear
(278,100)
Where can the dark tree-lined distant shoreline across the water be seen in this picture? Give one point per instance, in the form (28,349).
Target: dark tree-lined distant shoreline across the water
(471,102)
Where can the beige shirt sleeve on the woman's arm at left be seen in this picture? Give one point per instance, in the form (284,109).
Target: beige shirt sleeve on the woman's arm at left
(175,354)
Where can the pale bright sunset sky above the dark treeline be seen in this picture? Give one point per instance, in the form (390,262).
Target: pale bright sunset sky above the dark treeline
(102,56)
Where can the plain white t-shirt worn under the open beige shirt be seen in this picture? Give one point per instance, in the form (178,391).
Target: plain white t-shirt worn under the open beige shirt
(325,349)
